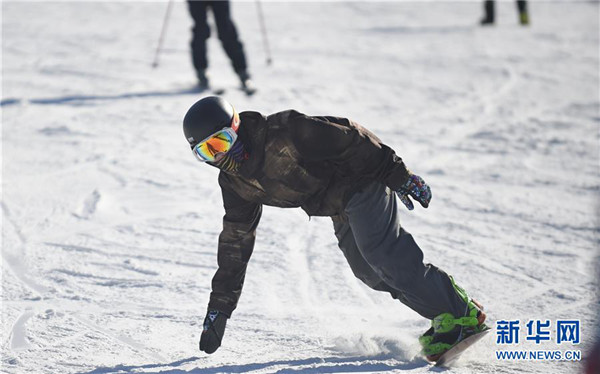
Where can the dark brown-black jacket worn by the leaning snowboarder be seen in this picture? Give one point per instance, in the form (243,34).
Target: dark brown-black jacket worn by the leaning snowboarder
(315,163)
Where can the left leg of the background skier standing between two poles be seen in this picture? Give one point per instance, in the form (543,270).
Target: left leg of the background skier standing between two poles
(200,33)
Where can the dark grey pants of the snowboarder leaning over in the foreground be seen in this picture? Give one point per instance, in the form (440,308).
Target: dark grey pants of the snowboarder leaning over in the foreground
(386,258)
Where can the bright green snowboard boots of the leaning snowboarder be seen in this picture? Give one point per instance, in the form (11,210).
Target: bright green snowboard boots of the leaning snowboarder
(446,330)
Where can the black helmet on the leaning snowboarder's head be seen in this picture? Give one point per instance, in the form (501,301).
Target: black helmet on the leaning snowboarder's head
(206,117)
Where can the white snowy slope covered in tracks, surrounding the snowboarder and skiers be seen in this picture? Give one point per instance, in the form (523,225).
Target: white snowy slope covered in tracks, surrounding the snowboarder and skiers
(109,224)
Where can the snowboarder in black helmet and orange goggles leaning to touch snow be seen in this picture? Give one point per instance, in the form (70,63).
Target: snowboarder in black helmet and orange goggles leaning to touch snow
(328,166)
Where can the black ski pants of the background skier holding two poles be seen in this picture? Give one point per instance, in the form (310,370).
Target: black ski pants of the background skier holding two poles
(227,34)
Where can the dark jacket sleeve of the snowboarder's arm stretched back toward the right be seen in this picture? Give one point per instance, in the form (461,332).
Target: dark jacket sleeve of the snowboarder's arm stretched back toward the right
(354,150)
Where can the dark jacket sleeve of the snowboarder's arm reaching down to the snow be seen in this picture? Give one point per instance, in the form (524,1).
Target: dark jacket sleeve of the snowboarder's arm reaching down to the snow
(236,243)
